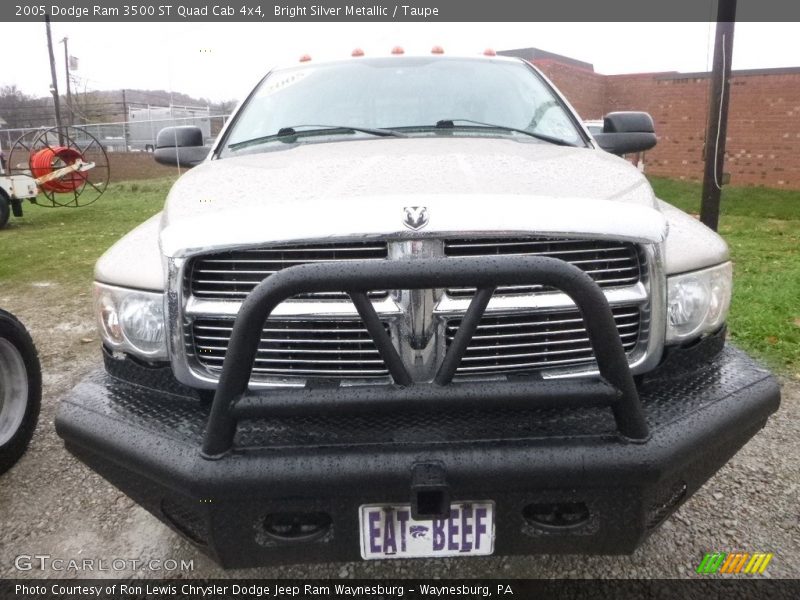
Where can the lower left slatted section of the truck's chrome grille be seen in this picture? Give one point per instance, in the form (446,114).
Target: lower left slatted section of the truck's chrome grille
(303,348)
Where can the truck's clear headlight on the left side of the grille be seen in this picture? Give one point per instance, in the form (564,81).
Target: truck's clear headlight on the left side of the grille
(132,321)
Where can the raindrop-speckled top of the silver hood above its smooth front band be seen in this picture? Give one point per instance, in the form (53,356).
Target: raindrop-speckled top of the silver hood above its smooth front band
(316,173)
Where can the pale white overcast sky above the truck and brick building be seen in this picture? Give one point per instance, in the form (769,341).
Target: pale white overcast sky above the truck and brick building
(222,61)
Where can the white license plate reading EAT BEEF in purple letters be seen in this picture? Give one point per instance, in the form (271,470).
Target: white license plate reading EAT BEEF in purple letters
(388,531)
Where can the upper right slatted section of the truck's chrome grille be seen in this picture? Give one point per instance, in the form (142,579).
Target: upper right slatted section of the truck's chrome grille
(609,263)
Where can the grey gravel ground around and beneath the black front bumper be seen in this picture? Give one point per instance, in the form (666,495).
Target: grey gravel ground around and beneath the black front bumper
(50,504)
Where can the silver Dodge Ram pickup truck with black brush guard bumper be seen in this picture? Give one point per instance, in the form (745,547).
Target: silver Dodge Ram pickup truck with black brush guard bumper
(407,306)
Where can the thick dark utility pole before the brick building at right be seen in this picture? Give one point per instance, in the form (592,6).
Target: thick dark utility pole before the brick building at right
(717,128)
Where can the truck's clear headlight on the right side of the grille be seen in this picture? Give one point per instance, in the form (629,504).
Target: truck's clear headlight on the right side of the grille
(697,302)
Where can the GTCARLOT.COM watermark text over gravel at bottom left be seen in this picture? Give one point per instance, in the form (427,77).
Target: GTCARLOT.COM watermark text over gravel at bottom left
(46,562)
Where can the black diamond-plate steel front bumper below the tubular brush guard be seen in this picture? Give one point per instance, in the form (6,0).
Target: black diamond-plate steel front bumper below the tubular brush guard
(700,408)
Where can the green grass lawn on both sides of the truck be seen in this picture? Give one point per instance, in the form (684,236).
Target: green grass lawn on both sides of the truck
(762,227)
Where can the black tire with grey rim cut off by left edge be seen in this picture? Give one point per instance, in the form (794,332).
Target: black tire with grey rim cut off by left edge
(18,357)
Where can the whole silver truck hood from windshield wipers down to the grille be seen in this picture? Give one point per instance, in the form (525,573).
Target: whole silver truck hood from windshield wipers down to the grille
(325,190)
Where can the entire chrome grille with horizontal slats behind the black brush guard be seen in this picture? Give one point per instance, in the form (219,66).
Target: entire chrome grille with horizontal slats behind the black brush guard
(307,340)
